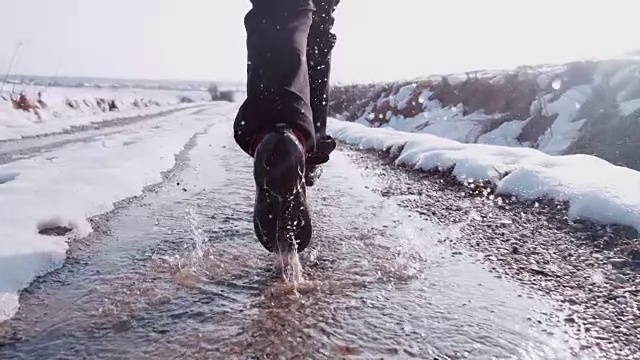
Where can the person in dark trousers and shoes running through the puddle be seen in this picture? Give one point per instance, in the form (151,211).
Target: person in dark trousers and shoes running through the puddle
(282,122)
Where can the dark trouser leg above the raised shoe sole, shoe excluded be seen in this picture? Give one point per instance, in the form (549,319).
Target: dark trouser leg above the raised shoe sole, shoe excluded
(277,73)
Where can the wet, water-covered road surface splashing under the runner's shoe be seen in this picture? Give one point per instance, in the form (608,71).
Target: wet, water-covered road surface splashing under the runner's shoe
(178,274)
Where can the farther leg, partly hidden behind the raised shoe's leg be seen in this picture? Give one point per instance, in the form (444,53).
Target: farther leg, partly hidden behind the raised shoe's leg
(320,44)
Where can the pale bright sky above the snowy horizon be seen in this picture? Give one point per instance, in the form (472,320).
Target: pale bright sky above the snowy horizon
(377,39)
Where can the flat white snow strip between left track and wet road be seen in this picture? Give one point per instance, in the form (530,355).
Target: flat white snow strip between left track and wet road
(66,186)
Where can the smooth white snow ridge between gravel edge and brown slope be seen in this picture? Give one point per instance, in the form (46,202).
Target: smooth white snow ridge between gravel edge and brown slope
(596,190)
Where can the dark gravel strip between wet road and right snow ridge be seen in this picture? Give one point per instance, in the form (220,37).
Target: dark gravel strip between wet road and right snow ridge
(590,270)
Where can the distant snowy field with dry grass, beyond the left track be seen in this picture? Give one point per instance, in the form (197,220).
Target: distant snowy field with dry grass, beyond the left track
(68,107)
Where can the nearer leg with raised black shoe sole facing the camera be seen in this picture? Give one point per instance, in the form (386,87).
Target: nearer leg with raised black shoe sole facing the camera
(274,124)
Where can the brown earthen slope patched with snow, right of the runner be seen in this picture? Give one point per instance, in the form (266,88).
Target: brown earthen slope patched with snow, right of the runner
(555,108)
